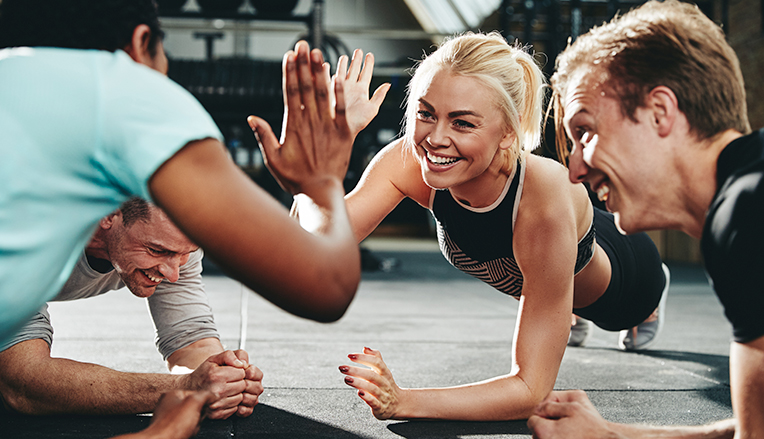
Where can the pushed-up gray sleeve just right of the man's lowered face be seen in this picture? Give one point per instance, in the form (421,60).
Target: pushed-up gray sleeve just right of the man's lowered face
(181,312)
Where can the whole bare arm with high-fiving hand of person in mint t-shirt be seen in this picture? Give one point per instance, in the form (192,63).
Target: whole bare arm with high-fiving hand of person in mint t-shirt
(249,233)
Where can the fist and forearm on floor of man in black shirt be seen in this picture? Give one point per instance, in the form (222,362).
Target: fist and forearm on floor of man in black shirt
(570,415)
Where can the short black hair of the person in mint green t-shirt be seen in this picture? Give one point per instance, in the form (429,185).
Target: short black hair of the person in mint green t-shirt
(77,24)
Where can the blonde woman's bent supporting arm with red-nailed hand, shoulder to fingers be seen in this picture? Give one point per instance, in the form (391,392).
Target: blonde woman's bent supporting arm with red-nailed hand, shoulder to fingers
(543,325)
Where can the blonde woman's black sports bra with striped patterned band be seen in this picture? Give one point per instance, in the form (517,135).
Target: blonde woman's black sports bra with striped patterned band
(478,242)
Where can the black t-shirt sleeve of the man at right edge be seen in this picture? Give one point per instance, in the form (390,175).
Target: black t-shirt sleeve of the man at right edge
(734,254)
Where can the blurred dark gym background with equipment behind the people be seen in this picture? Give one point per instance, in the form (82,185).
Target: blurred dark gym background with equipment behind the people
(228,54)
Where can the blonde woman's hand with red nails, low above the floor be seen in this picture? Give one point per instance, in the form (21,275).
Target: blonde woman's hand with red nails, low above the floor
(375,385)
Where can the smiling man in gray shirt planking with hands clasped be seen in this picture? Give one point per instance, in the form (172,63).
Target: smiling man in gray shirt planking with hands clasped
(139,247)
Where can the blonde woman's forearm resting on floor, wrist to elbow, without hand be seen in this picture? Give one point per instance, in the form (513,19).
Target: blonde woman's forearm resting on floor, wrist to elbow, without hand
(499,399)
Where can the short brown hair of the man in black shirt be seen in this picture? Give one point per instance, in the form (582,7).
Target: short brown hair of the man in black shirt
(666,43)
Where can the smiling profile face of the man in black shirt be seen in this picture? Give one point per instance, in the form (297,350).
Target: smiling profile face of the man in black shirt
(618,156)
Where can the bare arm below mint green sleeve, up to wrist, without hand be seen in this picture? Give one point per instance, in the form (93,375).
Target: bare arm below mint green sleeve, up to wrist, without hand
(250,234)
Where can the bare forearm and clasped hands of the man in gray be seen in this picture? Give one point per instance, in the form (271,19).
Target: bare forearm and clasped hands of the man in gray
(34,383)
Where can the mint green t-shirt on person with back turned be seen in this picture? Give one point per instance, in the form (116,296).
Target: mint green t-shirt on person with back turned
(80,132)
